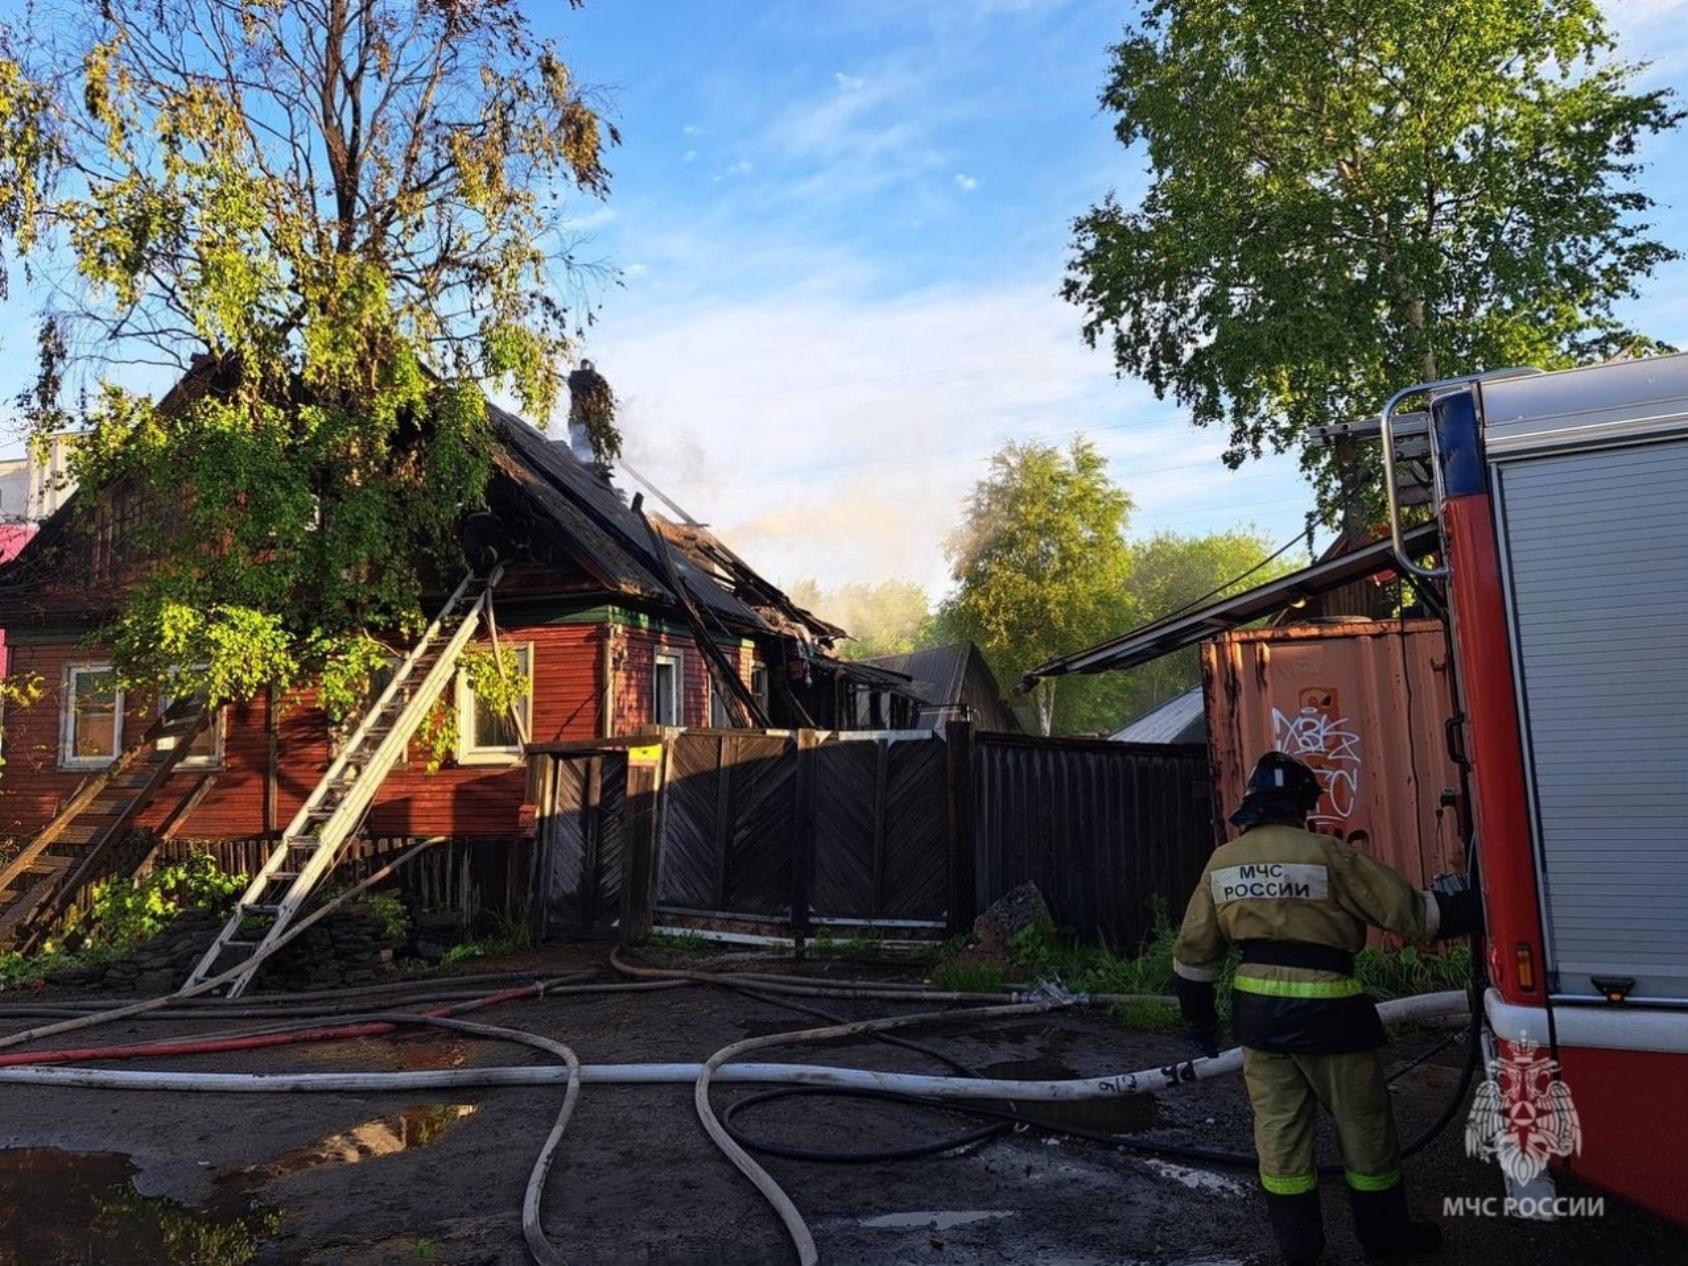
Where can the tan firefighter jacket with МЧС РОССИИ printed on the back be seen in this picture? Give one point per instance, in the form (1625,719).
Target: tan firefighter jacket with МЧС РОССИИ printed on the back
(1282,884)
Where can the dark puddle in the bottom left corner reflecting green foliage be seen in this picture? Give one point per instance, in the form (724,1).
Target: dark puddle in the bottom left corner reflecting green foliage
(77,1208)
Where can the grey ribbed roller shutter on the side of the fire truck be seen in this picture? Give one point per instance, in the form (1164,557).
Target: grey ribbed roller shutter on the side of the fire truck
(1596,551)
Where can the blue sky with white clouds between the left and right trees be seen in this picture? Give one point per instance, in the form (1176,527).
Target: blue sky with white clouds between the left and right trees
(841,227)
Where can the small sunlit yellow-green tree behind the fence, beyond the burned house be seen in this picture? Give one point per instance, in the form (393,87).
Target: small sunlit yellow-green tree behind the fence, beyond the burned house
(1041,566)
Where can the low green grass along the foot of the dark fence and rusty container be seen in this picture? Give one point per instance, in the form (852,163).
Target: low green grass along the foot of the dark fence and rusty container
(1042,953)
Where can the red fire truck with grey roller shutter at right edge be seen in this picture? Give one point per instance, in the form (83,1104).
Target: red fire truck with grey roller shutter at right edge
(1564,511)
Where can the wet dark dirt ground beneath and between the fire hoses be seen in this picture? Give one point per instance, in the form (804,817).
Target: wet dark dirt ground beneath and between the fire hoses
(637,1181)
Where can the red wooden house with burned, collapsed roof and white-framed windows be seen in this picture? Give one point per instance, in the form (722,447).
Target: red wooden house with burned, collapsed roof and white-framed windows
(605,609)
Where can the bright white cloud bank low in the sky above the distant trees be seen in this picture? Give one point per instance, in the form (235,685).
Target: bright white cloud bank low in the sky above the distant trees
(838,436)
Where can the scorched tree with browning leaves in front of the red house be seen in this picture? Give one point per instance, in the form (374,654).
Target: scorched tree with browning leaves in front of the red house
(344,219)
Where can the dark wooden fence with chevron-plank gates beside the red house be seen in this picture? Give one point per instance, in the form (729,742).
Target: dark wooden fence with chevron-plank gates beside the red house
(885,830)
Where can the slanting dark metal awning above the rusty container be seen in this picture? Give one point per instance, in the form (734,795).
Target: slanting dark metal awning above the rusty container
(1186,629)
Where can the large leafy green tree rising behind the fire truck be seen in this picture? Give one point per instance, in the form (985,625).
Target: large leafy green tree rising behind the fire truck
(1350,197)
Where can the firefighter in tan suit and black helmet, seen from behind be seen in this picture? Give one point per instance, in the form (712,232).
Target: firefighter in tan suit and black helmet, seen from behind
(1297,906)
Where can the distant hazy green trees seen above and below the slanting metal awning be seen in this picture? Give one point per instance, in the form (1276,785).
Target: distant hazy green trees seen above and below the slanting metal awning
(1174,573)
